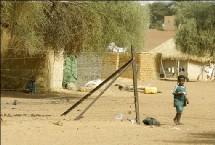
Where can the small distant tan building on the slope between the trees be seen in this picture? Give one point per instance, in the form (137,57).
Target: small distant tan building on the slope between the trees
(169,23)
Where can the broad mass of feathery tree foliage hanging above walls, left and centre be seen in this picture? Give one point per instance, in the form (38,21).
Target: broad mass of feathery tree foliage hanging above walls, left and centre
(75,25)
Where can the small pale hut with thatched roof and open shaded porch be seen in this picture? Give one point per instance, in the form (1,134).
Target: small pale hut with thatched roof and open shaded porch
(174,62)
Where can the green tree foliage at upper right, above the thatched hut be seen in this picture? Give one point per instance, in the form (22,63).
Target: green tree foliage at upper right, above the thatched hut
(196,21)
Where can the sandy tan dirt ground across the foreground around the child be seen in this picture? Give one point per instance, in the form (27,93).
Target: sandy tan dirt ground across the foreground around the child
(32,119)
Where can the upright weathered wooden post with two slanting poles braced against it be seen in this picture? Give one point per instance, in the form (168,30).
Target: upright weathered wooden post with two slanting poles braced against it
(136,101)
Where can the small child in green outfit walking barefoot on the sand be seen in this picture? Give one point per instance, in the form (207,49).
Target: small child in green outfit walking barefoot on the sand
(180,99)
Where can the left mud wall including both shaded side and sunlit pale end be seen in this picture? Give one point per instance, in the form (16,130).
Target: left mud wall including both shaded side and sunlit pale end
(18,67)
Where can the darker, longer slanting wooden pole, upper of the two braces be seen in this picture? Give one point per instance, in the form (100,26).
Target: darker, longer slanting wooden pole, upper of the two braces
(99,86)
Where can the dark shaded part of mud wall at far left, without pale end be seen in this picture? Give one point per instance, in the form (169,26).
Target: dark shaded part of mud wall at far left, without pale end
(16,71)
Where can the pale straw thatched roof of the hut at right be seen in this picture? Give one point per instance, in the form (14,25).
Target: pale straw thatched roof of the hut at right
(169,52)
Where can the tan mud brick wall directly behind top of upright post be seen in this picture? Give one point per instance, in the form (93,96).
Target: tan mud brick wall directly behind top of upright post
(148,65)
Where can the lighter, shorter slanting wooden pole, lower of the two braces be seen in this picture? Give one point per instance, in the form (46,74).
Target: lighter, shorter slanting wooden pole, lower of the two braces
(95,99)
